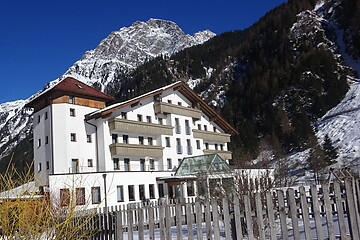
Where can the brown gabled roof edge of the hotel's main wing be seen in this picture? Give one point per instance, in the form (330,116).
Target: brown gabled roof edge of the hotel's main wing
(184,90)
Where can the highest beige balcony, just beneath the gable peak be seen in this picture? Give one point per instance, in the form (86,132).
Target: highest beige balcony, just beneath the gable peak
(162,107)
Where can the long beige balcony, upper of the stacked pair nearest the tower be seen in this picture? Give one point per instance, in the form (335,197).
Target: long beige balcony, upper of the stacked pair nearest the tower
(130,126)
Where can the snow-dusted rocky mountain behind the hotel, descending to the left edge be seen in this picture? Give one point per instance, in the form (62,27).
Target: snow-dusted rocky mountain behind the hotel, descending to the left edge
(104,67)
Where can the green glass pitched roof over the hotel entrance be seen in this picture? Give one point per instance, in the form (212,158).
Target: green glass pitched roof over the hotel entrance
(204,164)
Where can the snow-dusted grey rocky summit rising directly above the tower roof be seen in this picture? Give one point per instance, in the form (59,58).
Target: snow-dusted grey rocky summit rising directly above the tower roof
(124,50)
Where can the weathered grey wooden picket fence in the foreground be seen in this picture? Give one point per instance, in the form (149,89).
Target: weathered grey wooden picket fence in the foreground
(317,212)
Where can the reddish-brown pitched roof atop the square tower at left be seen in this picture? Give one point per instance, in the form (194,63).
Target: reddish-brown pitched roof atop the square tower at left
(75,87)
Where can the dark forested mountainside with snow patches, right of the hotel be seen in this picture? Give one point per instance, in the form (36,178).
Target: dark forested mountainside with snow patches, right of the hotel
(276,80)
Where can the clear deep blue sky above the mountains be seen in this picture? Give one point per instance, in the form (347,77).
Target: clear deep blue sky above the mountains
(41,39)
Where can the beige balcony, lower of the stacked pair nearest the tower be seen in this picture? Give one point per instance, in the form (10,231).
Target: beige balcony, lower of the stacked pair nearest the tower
(123,149)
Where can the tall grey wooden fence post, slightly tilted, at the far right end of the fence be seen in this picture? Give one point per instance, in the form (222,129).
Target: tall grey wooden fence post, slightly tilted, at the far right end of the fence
(354,231)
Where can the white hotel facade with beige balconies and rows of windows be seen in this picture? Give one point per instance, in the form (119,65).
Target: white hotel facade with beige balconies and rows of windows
(132,143)
